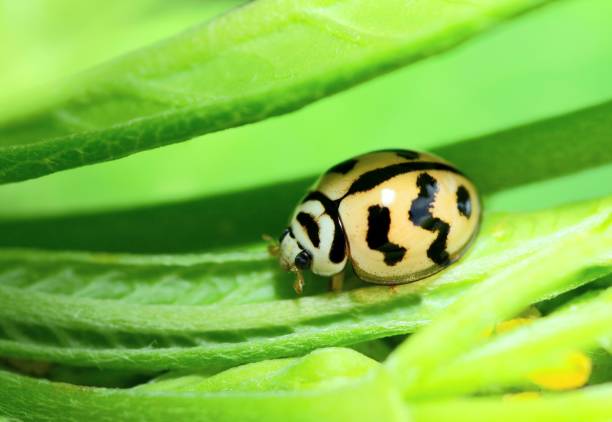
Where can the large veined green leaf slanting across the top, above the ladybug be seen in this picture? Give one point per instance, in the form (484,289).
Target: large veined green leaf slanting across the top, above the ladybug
(180,88)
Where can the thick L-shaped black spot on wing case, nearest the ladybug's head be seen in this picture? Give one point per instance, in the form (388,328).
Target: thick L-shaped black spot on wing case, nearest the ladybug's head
(379,222)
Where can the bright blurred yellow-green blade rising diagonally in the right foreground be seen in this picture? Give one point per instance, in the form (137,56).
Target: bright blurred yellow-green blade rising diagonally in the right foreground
(554,265)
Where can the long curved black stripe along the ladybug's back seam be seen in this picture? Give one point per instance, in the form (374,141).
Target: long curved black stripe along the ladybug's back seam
(373,178)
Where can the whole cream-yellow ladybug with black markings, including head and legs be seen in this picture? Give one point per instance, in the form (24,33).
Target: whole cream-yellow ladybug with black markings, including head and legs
(397,215)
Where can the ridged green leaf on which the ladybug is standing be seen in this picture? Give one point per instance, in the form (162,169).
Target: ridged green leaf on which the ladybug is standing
(219,310)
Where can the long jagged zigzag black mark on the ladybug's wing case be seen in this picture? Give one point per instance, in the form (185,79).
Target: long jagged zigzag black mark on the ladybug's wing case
(420,214)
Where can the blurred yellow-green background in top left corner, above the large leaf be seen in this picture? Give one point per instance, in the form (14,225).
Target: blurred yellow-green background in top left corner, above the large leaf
(47,40)
